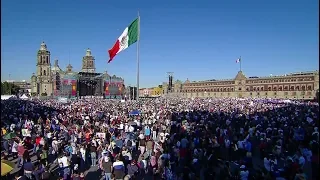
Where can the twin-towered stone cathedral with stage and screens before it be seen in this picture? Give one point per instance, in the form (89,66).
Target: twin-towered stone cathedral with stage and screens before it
(53,81)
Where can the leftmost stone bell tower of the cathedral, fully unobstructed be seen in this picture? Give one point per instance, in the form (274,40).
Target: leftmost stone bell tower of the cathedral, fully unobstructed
(44,80)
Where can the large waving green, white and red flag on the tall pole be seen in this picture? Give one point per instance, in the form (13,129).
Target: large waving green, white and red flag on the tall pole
(129,36)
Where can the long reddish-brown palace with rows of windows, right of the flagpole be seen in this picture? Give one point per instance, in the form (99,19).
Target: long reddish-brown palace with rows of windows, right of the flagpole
(302,85)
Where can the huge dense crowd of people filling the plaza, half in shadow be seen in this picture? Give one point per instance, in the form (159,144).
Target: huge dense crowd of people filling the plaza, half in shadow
(163,138)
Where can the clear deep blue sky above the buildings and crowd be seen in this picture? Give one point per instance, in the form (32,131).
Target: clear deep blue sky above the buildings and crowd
(198,40)
